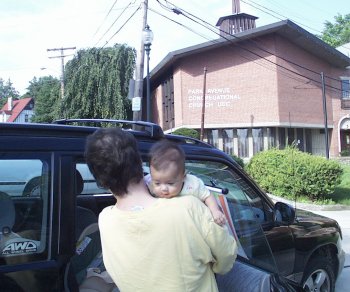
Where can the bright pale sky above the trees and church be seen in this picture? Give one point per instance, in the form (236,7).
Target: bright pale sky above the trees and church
(29,27)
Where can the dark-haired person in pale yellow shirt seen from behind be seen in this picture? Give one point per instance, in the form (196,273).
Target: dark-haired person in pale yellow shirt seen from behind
(153,244)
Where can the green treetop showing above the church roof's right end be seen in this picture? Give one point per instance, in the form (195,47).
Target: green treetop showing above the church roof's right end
(338,33)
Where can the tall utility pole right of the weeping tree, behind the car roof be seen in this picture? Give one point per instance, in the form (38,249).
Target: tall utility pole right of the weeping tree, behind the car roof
(137,100)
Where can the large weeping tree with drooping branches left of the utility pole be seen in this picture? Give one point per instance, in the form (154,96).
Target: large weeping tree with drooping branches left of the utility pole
(96,83)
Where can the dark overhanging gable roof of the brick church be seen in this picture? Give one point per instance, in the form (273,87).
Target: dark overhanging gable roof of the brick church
(285,28)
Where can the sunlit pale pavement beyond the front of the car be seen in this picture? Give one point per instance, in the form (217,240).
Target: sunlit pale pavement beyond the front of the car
(340,213)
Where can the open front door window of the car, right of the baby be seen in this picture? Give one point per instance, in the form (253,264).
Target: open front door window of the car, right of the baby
(245,210)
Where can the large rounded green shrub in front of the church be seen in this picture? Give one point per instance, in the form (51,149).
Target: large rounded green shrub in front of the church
(290,172)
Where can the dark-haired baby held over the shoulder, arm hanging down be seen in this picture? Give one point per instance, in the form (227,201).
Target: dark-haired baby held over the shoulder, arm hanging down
(167,178)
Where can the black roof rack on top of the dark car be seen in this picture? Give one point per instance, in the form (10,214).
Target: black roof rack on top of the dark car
(153,129)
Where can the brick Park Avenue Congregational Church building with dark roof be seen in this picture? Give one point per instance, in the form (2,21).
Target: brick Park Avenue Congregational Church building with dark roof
(263,89)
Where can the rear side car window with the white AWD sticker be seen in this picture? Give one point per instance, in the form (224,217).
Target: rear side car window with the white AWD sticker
(24,207)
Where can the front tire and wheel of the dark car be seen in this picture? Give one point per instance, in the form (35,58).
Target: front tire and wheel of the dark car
(319,276)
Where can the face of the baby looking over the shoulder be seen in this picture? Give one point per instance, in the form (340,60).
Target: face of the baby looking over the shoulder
(167,183)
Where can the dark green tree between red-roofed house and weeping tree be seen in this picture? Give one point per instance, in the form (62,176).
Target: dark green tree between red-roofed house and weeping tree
(46,92)
